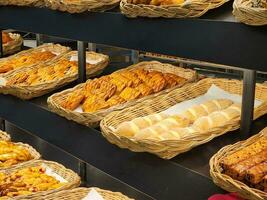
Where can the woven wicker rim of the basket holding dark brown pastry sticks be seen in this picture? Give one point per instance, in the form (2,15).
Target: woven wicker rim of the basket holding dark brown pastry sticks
(216,171)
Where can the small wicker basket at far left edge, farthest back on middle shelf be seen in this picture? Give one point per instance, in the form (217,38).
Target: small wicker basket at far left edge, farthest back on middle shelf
(14,45)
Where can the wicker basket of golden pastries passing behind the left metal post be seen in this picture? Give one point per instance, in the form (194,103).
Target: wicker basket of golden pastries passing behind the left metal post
(30,82)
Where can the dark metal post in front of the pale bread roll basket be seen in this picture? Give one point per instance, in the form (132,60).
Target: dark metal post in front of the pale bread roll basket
(248,97)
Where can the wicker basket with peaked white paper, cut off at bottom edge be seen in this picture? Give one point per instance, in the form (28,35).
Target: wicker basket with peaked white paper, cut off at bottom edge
(86,193)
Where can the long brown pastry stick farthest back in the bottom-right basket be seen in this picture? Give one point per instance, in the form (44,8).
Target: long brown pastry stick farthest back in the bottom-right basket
(244,153)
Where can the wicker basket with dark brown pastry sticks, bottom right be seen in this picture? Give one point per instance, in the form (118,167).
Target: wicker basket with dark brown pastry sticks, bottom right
(242,167)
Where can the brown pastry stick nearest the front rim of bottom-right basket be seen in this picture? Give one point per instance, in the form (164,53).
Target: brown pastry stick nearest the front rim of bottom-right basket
(255,174)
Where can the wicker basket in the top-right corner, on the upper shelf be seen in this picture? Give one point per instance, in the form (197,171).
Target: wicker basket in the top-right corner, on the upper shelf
(250,12)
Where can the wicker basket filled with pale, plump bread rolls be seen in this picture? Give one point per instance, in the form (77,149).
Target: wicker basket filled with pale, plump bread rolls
(148,127)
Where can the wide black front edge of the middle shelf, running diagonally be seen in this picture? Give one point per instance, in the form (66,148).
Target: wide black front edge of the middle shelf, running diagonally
(160,179)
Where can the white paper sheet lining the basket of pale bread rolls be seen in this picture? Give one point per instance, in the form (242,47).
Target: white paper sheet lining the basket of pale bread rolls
(214,92)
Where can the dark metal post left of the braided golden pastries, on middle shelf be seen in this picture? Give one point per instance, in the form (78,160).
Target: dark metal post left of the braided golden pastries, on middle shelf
(81,61)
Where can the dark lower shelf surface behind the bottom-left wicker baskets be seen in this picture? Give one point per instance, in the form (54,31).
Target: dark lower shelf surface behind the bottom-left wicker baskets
(95,177)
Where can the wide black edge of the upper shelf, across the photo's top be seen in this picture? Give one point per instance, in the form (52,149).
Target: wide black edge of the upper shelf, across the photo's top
(211,39)
